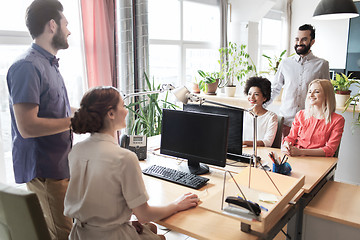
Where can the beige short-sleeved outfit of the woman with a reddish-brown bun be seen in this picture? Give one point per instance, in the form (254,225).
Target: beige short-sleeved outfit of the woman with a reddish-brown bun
(105,184)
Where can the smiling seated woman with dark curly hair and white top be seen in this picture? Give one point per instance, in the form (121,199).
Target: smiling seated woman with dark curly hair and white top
(258,91)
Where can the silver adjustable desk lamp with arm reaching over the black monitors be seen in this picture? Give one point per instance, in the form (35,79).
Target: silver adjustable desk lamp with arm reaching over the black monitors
(184,95)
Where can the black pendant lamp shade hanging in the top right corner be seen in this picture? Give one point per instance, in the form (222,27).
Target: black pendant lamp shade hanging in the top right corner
(335,9)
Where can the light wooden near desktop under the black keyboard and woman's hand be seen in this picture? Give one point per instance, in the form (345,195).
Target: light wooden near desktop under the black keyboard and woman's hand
(198,223)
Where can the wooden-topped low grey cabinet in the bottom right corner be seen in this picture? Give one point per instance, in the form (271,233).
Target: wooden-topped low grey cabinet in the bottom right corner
(334,213)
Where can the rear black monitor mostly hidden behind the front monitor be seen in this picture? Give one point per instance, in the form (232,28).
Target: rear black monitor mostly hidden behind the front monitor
(234,149)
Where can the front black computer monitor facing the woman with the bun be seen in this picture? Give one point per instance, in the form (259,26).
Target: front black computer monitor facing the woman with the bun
(198,137)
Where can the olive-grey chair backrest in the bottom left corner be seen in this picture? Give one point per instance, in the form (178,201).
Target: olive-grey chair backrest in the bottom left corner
(21,216)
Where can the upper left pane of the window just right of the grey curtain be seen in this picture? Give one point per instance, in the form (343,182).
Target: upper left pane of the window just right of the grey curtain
(164,19)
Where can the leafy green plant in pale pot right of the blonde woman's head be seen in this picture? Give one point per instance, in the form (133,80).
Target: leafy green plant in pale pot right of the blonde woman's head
(341,85)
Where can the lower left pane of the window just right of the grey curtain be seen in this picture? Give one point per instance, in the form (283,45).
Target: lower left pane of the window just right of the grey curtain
(165,64)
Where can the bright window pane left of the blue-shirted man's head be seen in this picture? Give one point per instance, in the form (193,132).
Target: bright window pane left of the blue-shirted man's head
(12,15)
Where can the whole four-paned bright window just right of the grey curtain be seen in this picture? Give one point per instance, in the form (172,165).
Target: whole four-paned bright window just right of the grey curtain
(184,36)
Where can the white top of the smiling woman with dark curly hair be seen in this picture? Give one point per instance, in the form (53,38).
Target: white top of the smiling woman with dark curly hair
(266,128)
